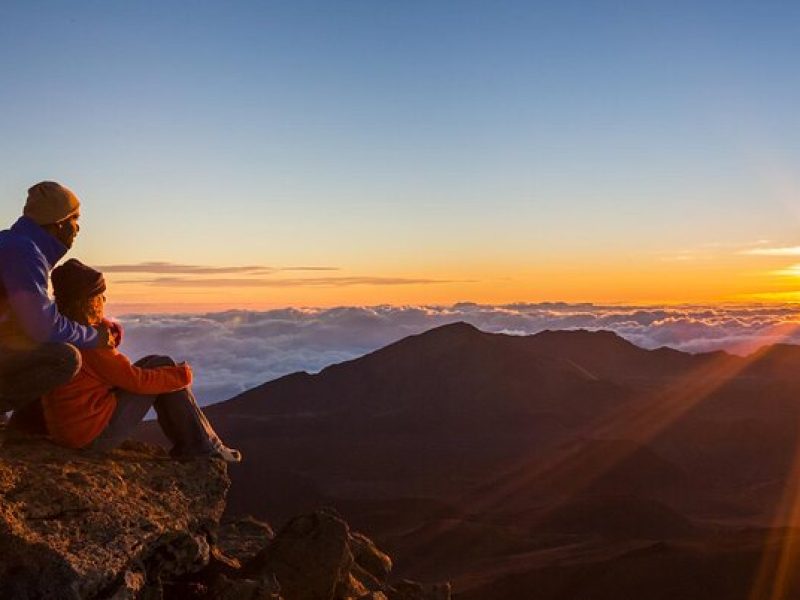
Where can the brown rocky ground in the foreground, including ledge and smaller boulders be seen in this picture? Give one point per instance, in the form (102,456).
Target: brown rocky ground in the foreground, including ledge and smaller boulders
(135,524)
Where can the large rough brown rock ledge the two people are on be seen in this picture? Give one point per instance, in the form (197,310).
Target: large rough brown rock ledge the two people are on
(77,524)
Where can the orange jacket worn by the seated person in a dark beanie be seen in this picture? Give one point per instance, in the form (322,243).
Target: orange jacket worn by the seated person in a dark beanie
(79,410)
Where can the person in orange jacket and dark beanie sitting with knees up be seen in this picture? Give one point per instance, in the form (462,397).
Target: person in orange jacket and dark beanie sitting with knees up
(106,400)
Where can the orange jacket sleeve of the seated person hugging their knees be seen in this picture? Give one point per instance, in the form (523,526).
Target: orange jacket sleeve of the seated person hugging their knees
(117,371)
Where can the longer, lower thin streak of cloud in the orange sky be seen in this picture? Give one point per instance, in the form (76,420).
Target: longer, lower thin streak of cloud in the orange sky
(184,282)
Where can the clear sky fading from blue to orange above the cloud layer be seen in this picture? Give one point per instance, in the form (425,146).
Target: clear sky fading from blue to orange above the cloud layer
(264,155)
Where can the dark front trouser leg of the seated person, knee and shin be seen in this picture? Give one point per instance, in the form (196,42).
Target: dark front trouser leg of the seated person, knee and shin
(180,418)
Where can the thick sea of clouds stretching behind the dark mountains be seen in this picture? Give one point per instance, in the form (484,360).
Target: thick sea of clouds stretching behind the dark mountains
(235,350)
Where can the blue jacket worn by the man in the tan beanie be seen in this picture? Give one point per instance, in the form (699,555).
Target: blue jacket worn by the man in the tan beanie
(28,315)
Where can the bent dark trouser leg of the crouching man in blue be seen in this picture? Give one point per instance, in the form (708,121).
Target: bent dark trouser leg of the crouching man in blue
(27,375)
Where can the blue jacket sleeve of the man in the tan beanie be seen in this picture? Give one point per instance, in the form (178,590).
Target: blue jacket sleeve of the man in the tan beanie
(25,278)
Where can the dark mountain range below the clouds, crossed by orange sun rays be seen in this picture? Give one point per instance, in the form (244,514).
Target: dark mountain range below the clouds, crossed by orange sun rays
(483,458)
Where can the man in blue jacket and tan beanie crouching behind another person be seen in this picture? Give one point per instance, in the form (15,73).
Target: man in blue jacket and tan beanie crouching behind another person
(37,343)
